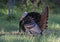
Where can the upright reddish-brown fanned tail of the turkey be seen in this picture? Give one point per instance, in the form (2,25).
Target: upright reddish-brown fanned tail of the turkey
(44,18)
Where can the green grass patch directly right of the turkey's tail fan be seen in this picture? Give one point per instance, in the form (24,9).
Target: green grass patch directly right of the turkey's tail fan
(54,21)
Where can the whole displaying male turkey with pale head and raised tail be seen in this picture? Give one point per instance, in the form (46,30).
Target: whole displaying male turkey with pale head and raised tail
(34,22)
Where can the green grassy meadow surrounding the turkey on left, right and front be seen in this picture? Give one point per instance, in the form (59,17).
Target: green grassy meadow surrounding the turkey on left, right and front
(11,24)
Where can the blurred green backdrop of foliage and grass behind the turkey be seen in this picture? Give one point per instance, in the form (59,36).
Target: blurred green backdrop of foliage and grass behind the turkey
(12,10)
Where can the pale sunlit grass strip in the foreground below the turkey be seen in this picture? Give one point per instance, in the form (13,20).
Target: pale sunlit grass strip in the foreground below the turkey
(25,38)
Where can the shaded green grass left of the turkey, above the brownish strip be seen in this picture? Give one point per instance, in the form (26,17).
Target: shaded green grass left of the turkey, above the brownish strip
(7,24)
